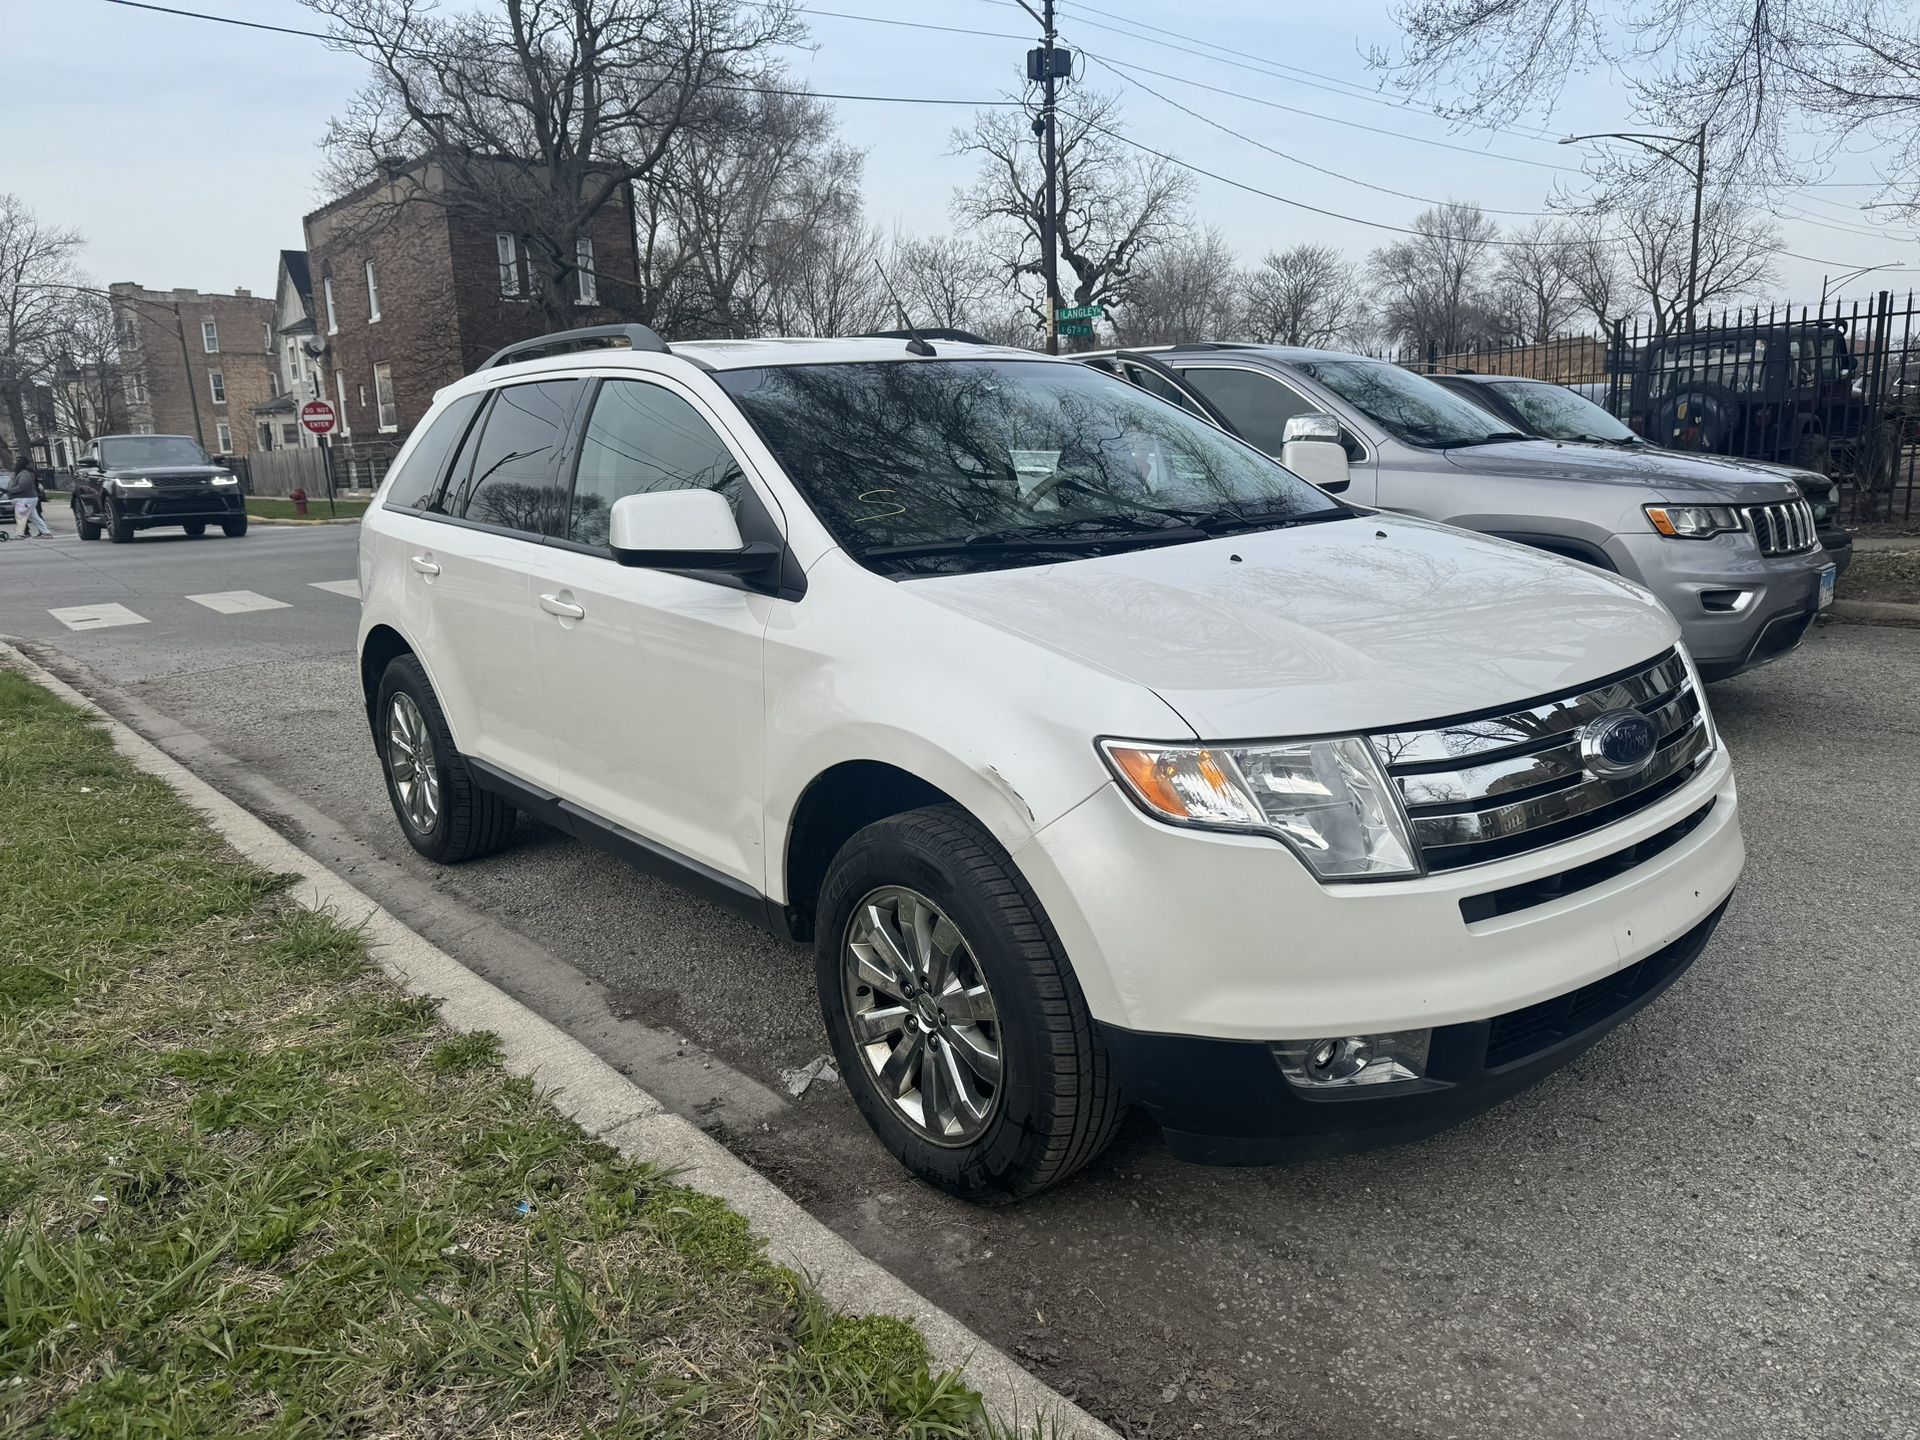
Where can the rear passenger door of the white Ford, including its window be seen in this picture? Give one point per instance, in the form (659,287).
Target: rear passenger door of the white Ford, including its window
(475,569)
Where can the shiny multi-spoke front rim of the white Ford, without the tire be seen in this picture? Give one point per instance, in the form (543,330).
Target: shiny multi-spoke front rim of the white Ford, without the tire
(923,1017)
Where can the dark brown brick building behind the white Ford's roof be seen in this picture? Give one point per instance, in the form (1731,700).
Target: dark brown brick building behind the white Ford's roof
(412,293)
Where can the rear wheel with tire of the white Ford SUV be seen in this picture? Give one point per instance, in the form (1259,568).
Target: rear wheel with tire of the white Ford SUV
(444,813)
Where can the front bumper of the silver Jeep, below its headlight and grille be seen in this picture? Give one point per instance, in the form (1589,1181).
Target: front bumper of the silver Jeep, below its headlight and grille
(1773,598)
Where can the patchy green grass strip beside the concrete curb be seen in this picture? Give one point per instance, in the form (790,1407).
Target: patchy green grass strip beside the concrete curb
(251,1188)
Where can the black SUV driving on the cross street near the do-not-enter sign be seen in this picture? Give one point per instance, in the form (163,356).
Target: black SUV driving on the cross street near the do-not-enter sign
(135,483)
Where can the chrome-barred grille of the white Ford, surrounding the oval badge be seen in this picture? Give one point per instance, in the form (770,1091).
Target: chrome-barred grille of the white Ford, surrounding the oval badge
(1512,782)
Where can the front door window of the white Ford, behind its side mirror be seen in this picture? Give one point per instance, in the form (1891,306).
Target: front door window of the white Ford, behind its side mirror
(642,439)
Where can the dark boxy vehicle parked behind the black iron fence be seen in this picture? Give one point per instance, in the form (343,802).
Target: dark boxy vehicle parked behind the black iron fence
(1767,393)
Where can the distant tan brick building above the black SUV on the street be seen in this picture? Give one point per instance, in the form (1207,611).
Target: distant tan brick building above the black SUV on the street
(208,393)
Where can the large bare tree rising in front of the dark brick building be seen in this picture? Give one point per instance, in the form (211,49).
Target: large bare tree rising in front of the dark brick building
(539,112)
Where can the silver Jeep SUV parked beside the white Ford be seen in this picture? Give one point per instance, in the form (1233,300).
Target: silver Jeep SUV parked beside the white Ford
(1735,556)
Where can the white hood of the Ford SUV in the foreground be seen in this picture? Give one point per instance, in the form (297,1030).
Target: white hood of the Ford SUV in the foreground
(1355,625)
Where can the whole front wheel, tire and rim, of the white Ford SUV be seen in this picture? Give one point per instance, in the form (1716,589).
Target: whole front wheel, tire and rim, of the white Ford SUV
(955,1015)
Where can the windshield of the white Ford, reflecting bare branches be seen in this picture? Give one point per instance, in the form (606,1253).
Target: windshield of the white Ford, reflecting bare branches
(986,464)
